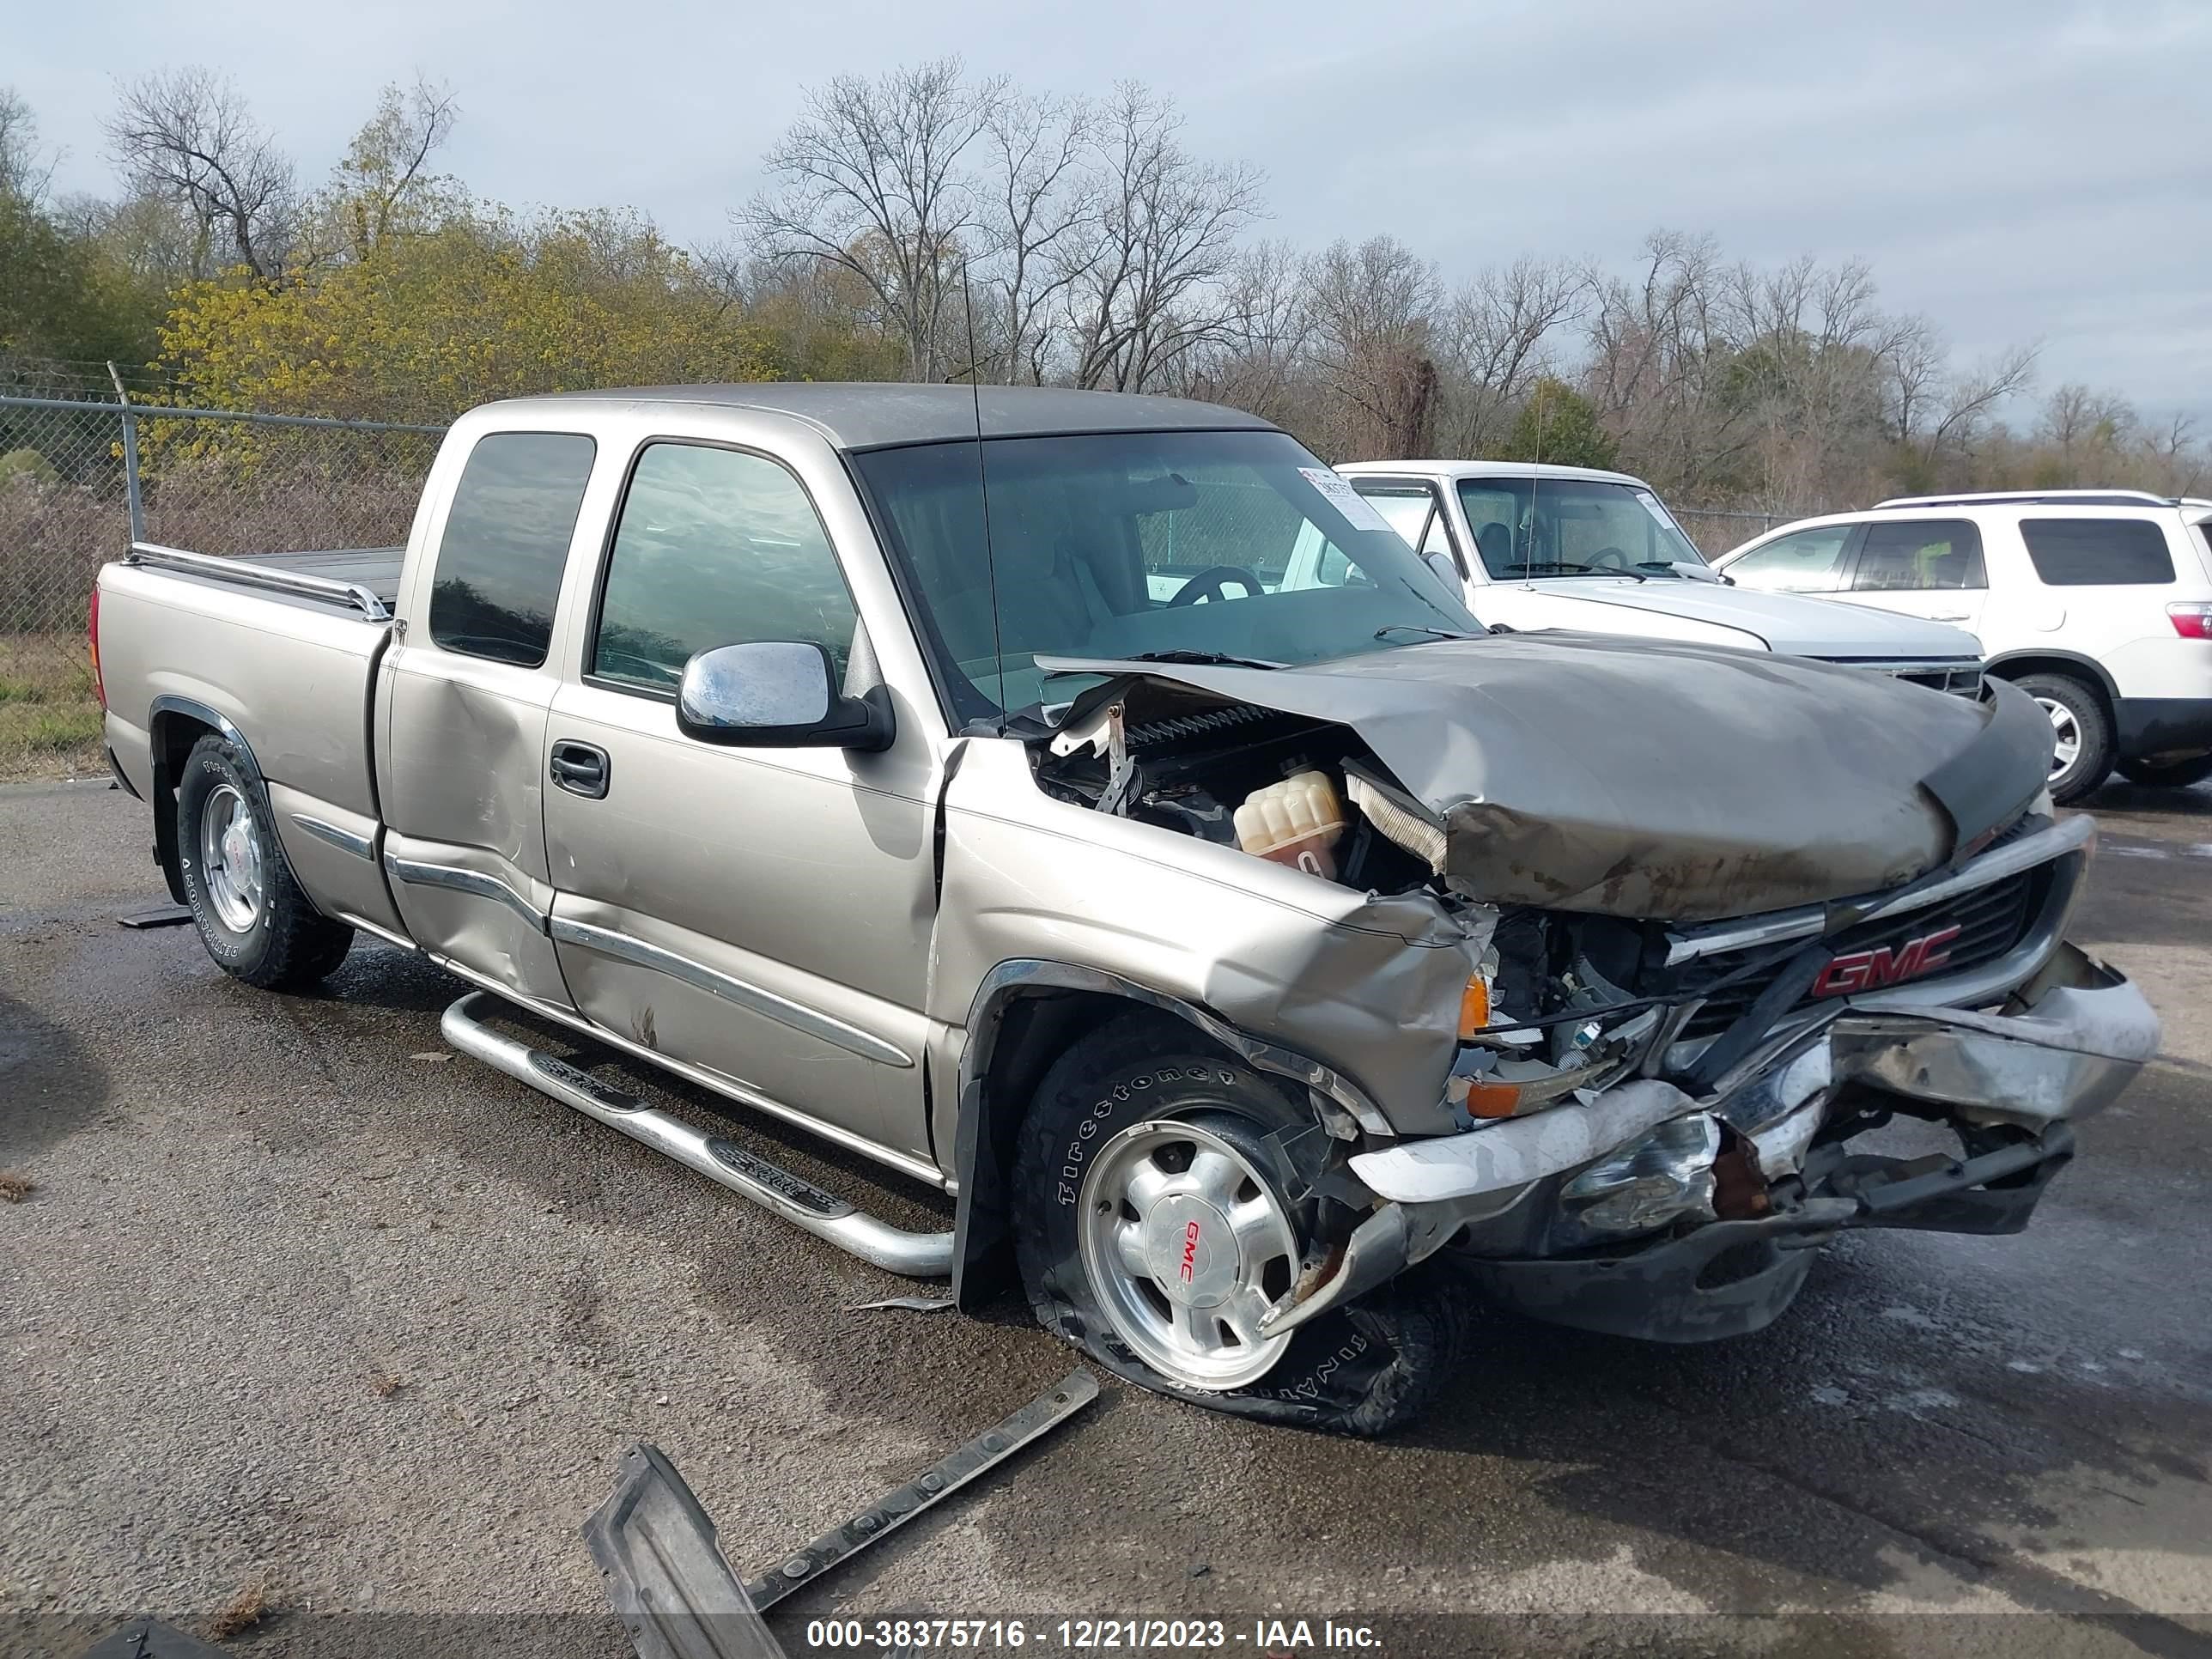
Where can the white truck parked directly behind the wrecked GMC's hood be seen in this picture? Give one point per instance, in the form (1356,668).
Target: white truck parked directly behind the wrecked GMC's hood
(1574,547)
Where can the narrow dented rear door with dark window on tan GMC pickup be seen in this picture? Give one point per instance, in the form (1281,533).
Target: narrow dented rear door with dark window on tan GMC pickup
(466,711)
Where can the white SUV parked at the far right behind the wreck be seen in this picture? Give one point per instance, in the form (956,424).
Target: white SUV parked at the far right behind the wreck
(2094,601)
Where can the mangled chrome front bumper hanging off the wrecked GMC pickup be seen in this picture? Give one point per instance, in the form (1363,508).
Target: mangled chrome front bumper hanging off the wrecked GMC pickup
(2012,1083)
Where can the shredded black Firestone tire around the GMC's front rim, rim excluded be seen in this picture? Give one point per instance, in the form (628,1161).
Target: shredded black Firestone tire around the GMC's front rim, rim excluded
(1364,1370)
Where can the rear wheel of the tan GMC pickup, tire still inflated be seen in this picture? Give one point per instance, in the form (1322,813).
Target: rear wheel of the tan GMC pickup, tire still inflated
(258,928)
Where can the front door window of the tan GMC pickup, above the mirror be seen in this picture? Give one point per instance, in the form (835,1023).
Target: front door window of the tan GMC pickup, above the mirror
(716,547)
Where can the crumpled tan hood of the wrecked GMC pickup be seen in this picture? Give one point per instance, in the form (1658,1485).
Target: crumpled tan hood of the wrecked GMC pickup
(1651,780)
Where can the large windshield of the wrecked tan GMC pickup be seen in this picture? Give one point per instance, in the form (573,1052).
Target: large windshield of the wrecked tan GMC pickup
(1123,545)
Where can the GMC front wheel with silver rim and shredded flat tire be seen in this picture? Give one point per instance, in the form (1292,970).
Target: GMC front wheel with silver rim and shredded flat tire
(1154,1227)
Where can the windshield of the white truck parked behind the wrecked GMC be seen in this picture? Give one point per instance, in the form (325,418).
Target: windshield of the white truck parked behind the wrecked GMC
(1572,528)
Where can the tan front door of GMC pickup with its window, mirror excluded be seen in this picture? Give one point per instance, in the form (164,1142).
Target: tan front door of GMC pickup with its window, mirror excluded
(753,912)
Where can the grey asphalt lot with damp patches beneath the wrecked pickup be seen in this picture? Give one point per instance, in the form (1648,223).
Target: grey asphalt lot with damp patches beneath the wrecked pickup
(306,1311)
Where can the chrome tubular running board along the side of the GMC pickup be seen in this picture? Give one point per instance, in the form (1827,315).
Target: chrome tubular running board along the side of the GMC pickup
(917,1255)
